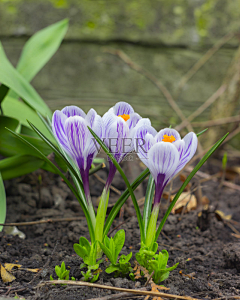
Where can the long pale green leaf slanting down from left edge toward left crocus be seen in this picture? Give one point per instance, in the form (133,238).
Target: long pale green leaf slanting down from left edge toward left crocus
(10,77)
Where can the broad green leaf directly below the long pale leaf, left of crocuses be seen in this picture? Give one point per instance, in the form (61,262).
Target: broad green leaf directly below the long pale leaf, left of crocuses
(17,109)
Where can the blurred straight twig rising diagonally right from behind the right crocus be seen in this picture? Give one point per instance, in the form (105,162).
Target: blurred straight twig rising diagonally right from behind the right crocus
(201,108)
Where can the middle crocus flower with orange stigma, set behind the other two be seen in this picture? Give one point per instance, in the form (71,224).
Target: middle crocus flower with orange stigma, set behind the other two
(120,125)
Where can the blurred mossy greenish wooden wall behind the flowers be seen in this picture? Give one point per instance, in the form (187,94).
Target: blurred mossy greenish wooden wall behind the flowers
(155,54)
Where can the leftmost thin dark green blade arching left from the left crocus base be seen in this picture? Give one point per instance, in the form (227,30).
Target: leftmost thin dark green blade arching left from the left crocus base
(91,231)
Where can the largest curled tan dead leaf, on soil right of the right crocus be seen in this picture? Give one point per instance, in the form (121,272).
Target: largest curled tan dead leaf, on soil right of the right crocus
(186,201)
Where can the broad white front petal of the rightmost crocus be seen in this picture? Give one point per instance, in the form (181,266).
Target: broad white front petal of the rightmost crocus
(163,158)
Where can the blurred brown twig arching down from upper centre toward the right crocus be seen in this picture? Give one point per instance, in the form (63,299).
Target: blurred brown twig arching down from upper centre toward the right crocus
(153,79)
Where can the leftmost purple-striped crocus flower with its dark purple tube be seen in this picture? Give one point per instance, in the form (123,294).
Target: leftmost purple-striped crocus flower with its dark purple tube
(70,130)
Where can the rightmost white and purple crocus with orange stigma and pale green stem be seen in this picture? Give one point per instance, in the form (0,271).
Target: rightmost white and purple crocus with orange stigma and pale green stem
(165,154)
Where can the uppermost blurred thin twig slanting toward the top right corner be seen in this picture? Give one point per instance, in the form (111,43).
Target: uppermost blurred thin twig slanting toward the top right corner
(203,60)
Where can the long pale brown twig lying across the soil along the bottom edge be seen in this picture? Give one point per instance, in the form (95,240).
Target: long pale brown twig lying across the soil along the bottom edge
(99,286)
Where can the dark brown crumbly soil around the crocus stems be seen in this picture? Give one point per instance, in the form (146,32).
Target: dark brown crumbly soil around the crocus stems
(207,252)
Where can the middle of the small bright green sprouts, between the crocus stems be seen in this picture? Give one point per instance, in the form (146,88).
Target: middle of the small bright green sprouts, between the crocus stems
(112,247)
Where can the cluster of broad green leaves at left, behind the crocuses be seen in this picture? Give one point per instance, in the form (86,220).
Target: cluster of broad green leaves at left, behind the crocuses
(15,83)
